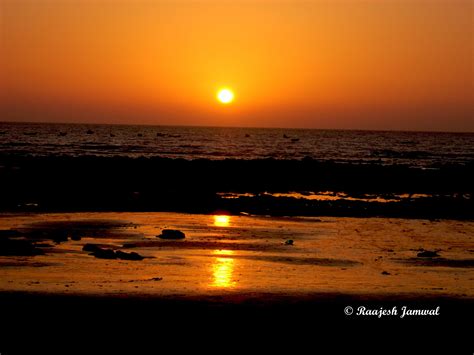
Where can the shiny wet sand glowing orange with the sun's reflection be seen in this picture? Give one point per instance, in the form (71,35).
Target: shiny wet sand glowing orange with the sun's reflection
(240,255)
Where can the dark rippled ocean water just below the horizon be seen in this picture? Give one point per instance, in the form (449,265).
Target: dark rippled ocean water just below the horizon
(419,149)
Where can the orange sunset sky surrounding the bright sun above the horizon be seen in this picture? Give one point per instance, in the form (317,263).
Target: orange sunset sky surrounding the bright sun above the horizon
(342,64)
